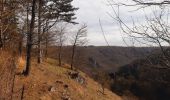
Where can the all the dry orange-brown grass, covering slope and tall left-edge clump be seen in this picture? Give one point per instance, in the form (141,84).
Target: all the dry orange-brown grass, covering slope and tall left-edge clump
(45,76)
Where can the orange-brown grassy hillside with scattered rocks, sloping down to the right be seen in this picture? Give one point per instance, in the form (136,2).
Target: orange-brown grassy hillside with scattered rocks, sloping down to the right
(50,82)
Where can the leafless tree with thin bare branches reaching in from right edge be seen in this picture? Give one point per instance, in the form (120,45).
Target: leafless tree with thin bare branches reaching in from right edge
(155,28)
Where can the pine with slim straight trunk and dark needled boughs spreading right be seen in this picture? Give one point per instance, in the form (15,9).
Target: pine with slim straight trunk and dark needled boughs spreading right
(53,11)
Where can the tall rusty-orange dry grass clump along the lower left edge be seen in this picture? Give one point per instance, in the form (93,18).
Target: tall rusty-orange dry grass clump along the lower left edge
(7,69)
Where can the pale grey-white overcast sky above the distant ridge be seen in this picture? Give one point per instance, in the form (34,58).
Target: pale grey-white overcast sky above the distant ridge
(90,11)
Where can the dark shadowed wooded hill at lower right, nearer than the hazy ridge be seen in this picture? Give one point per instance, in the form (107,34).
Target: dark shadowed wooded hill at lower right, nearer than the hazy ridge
(147,78)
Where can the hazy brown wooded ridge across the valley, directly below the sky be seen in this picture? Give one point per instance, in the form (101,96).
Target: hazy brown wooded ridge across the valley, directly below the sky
(104,58)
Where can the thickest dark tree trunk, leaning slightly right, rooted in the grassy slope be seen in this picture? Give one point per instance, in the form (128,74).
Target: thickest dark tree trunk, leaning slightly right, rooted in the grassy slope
(29,40)
